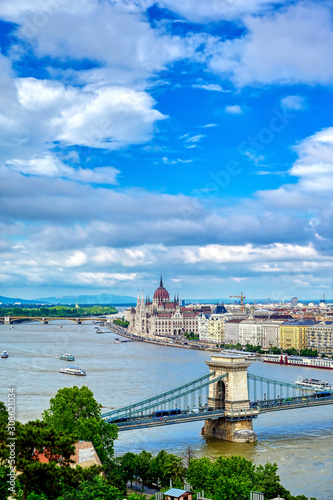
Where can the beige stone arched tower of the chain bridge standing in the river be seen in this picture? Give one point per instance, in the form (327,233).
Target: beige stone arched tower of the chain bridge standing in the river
(231,394)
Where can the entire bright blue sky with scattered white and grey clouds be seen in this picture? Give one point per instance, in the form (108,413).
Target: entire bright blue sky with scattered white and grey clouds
(192,138)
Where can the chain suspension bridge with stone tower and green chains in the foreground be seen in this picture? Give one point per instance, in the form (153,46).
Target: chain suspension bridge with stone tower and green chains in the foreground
(227,398)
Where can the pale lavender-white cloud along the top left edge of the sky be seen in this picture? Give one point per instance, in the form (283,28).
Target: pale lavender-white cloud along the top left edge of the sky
(116,36)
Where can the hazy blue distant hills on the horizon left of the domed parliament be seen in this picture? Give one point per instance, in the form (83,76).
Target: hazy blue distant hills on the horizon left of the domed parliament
(102,298)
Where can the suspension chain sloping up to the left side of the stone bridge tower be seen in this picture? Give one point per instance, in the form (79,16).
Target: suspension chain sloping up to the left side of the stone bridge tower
(161,399)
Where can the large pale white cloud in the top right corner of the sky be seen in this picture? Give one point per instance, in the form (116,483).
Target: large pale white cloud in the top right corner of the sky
(288,46)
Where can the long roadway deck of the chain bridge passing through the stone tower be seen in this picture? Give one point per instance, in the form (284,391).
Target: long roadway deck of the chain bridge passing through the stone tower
(256,408)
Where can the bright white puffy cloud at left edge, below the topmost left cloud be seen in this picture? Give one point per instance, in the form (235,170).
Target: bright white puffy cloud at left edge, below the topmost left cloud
(40,112)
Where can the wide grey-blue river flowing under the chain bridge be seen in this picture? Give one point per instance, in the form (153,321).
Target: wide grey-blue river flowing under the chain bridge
(299,441)
